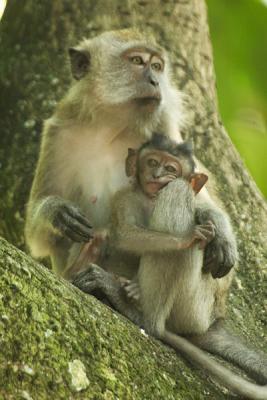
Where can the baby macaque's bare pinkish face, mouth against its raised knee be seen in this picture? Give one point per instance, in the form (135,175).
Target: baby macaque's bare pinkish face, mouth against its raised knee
(156,169)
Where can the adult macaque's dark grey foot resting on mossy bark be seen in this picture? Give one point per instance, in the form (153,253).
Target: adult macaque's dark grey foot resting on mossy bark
(111,286)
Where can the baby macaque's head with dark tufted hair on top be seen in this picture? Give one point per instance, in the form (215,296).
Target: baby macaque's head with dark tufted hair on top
(160,161)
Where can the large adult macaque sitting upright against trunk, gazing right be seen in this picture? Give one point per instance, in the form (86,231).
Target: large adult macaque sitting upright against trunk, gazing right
(121,94)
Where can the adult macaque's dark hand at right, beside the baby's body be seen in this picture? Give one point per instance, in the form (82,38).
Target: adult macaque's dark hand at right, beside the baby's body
(220,257)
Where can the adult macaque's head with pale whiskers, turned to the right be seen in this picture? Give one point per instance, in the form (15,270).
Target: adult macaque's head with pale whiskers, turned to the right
(125,66)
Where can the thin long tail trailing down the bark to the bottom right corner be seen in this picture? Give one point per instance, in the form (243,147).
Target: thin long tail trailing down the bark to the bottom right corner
(223,375)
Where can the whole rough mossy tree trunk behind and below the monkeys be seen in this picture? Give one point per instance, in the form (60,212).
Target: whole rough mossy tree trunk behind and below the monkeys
(44,323)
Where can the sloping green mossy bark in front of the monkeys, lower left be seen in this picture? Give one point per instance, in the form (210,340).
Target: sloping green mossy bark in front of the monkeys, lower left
(48,327)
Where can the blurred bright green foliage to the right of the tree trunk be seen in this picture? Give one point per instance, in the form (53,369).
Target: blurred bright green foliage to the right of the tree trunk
(238,31)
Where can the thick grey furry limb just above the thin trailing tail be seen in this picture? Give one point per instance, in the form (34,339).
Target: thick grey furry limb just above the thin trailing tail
(217,340)
